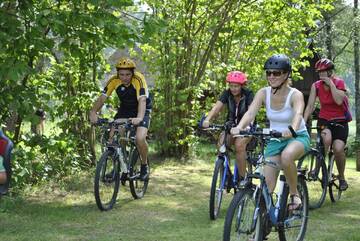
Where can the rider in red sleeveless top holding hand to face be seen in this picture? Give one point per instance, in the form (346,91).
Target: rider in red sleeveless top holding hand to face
(331,92)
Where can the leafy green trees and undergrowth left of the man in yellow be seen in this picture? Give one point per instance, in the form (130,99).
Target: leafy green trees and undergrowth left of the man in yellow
(51,58)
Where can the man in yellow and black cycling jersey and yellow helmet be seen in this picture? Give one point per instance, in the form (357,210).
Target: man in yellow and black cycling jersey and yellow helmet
(135,104)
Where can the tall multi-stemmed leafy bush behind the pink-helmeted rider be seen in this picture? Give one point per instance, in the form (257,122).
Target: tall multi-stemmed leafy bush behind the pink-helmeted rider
(200,41)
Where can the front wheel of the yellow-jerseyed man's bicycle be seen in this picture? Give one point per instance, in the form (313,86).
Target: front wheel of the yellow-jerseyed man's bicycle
(106,181)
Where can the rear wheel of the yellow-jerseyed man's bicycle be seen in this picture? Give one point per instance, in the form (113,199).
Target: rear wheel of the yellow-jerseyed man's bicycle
(138,187)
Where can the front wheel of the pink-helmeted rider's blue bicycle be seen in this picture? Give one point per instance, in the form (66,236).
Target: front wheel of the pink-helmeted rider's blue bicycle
(216,191)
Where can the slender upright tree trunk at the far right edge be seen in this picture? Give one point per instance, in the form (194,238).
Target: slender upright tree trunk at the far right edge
(357,79)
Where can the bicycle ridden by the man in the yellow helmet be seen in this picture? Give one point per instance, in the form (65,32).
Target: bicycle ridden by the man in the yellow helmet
(120,156)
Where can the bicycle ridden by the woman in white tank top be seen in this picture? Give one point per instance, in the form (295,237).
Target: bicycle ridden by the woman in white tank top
(253,212)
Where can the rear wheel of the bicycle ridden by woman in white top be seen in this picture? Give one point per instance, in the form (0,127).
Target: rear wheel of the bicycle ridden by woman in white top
(290,221)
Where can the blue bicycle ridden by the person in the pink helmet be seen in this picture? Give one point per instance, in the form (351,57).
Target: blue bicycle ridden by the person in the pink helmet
(223,178)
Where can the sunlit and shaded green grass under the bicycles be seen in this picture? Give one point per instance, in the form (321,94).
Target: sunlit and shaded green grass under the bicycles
(175,208)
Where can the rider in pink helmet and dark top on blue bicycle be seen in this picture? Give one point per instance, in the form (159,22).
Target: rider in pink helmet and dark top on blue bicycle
(237,98)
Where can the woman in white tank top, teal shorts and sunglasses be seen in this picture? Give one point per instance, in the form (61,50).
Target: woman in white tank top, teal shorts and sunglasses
(284,107)
